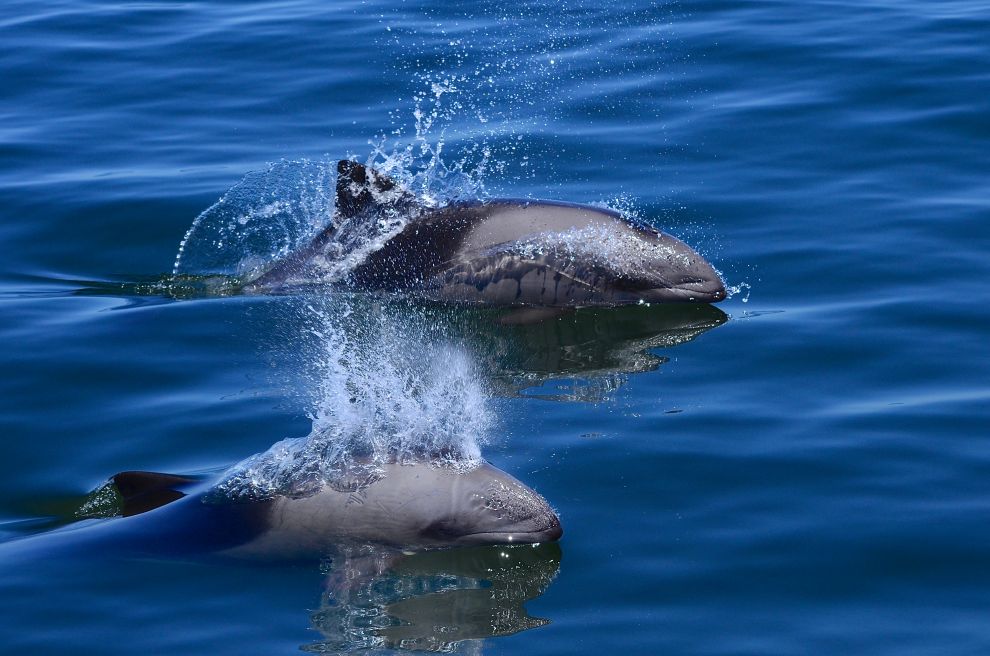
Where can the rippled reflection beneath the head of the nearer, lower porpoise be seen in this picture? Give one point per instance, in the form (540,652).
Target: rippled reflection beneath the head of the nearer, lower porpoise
(434,600)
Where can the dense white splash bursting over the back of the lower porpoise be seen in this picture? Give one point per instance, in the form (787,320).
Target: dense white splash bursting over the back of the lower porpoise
(385,389)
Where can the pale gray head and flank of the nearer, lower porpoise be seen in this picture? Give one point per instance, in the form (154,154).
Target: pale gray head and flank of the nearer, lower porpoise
(412,506)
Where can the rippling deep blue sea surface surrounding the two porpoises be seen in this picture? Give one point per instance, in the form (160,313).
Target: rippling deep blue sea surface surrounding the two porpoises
(809,475)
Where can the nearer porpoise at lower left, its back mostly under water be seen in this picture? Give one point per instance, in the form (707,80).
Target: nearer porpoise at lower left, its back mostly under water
(411,506)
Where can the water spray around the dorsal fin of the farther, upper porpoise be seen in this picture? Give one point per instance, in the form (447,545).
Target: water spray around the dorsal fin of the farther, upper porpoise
(273,213)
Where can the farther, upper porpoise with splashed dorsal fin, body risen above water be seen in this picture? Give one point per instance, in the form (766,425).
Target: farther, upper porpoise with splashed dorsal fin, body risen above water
(502,252)
